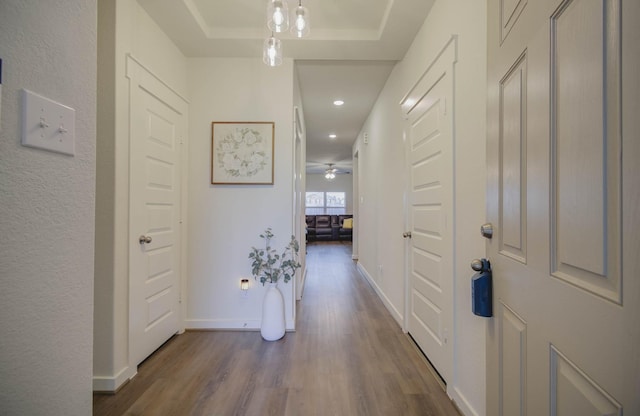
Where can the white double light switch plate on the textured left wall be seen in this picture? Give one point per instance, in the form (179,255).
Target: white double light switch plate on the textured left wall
(47,124)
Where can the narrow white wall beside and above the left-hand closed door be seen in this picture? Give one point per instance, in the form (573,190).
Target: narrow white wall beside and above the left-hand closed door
(124,28)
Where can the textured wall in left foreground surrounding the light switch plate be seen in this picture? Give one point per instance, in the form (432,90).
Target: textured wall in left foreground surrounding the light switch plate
(47,211)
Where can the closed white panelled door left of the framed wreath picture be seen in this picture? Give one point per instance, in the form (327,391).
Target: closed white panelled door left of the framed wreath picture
(158,125)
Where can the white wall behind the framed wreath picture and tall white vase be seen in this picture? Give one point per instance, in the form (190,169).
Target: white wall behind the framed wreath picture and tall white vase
(225,221)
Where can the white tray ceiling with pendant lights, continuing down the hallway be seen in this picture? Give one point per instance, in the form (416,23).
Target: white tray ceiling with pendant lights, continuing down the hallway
(349,54)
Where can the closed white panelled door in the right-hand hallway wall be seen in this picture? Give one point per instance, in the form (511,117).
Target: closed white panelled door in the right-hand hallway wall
(430,158)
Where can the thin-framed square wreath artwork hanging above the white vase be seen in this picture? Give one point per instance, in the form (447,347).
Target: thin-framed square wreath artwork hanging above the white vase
(242,152)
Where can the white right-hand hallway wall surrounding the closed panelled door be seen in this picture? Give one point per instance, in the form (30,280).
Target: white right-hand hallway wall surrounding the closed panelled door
(382,210)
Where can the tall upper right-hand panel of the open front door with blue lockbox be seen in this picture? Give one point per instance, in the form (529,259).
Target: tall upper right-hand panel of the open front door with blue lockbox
(586,155)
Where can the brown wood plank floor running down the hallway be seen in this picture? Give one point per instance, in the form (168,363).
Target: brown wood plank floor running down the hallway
(347,357)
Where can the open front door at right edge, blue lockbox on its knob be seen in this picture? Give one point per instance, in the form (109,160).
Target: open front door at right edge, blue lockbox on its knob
(564,200)
